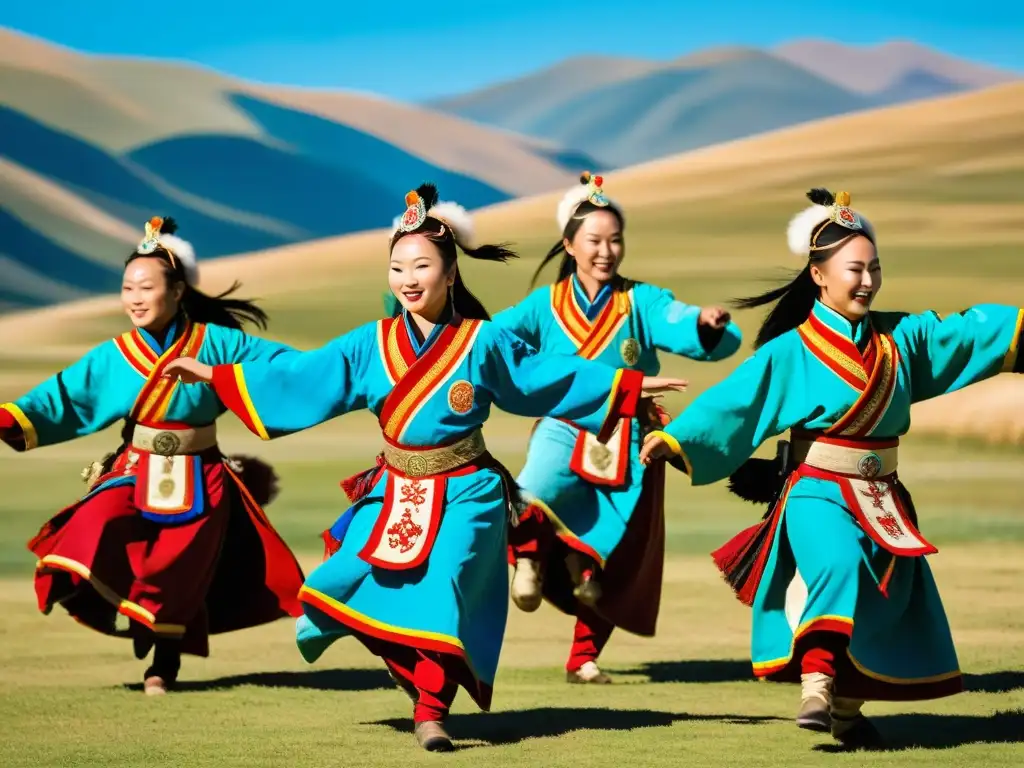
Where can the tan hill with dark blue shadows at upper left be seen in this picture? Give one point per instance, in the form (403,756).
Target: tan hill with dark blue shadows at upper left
(93,147)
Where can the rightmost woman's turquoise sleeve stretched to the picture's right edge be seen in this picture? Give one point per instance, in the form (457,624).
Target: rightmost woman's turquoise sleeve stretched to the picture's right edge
(953,353)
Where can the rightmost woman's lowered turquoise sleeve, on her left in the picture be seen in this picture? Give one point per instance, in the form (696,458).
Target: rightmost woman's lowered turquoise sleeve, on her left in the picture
(726,424)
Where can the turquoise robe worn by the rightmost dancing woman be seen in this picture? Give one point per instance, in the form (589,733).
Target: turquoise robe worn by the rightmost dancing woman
(824,573)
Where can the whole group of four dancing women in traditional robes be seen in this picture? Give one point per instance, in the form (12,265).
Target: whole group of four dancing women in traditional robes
(170,543)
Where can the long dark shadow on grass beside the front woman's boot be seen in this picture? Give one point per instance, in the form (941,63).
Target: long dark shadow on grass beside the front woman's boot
(519,726)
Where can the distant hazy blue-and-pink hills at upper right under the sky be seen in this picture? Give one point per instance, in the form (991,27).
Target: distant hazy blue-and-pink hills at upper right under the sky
(623,112)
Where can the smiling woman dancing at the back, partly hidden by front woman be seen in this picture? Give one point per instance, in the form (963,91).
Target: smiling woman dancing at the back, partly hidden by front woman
(595,507)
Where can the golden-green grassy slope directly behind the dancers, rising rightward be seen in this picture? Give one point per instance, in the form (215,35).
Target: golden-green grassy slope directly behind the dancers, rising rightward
(943,181)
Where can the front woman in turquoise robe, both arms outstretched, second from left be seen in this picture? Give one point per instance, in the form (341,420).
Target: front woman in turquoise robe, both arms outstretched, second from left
(416,569)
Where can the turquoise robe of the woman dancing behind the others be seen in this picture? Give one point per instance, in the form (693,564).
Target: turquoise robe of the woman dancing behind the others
(627,324)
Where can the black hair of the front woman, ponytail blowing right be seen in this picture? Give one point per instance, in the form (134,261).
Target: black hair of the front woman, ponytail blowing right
(449,243)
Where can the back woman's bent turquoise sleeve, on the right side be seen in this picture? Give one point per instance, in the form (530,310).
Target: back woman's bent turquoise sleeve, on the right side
(675,328)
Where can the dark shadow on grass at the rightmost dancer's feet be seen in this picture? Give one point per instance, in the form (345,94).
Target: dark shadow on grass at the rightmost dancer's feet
(921,732)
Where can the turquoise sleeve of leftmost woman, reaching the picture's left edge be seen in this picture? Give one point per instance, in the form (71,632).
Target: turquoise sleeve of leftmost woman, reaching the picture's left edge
(67,406)
